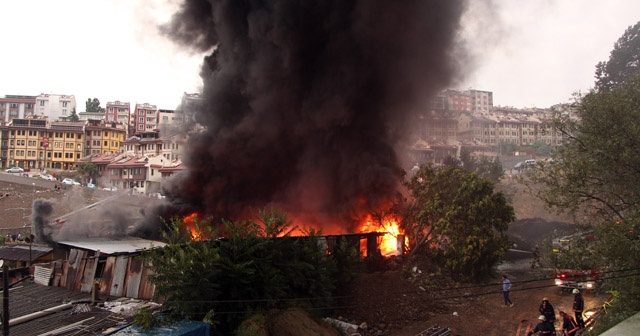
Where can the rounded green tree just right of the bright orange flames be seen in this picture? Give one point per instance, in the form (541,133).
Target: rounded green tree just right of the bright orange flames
(457,217)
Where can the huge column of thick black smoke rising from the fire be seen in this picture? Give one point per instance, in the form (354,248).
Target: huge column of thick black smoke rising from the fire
(306,103)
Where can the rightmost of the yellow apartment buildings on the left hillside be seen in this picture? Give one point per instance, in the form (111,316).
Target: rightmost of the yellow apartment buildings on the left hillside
(103,137)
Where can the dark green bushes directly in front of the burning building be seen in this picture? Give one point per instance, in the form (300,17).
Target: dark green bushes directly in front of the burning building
(256,267)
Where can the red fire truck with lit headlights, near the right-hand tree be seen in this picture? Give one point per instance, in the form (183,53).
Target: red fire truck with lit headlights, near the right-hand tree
(574,268)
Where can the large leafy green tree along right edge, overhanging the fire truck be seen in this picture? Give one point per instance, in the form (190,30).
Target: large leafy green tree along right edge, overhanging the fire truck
(595,174)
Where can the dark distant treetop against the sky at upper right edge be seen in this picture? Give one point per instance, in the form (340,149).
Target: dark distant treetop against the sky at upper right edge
(624,60)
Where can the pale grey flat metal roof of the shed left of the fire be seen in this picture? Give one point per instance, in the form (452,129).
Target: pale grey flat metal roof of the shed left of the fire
(110,246)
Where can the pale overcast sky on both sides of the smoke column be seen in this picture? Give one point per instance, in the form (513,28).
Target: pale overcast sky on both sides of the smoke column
(530,53)
